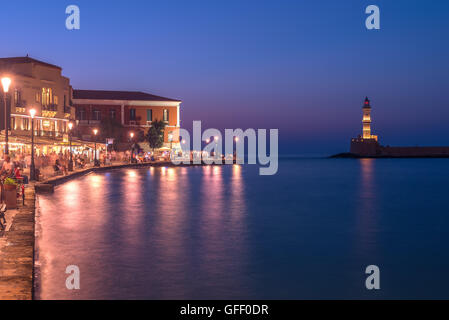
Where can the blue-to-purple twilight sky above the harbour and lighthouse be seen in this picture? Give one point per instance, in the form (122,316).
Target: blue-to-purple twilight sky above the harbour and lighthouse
(303,67)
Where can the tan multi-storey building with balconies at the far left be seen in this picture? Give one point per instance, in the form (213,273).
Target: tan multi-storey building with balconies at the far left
(41,86)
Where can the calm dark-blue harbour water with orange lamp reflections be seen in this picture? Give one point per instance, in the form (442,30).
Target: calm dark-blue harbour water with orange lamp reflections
(223,232)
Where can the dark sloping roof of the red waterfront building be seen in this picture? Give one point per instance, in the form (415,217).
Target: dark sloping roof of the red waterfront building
(118,95)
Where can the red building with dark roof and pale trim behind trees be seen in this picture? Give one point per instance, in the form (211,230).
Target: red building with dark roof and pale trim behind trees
(134,110)
